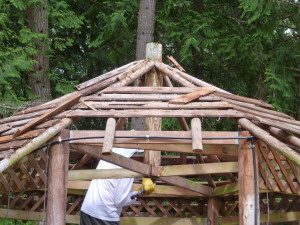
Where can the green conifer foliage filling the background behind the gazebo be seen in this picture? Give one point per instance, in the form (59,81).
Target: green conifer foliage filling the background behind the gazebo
(247,47)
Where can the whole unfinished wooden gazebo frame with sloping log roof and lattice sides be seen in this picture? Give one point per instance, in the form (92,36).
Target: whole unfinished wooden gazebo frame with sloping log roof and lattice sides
(42,159)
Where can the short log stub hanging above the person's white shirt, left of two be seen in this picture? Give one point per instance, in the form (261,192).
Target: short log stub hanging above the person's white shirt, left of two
(109,136)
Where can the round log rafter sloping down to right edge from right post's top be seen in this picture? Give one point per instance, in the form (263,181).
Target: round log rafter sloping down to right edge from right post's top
(270,140)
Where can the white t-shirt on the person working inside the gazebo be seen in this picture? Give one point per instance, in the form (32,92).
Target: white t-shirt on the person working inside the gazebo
(105,198)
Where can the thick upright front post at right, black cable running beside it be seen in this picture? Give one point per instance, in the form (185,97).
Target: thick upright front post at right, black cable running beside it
(247,206)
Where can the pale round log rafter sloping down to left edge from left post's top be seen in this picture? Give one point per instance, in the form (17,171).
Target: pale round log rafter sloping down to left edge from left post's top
(34,144)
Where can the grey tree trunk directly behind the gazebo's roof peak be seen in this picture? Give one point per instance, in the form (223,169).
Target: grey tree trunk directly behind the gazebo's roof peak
(145,34)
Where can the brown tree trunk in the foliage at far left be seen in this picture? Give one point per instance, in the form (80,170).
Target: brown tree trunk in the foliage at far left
(38,79)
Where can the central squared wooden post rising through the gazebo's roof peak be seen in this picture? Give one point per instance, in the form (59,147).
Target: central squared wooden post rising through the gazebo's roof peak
(153,79)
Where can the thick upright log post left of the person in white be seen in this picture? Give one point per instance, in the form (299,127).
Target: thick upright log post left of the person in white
(57,180)
